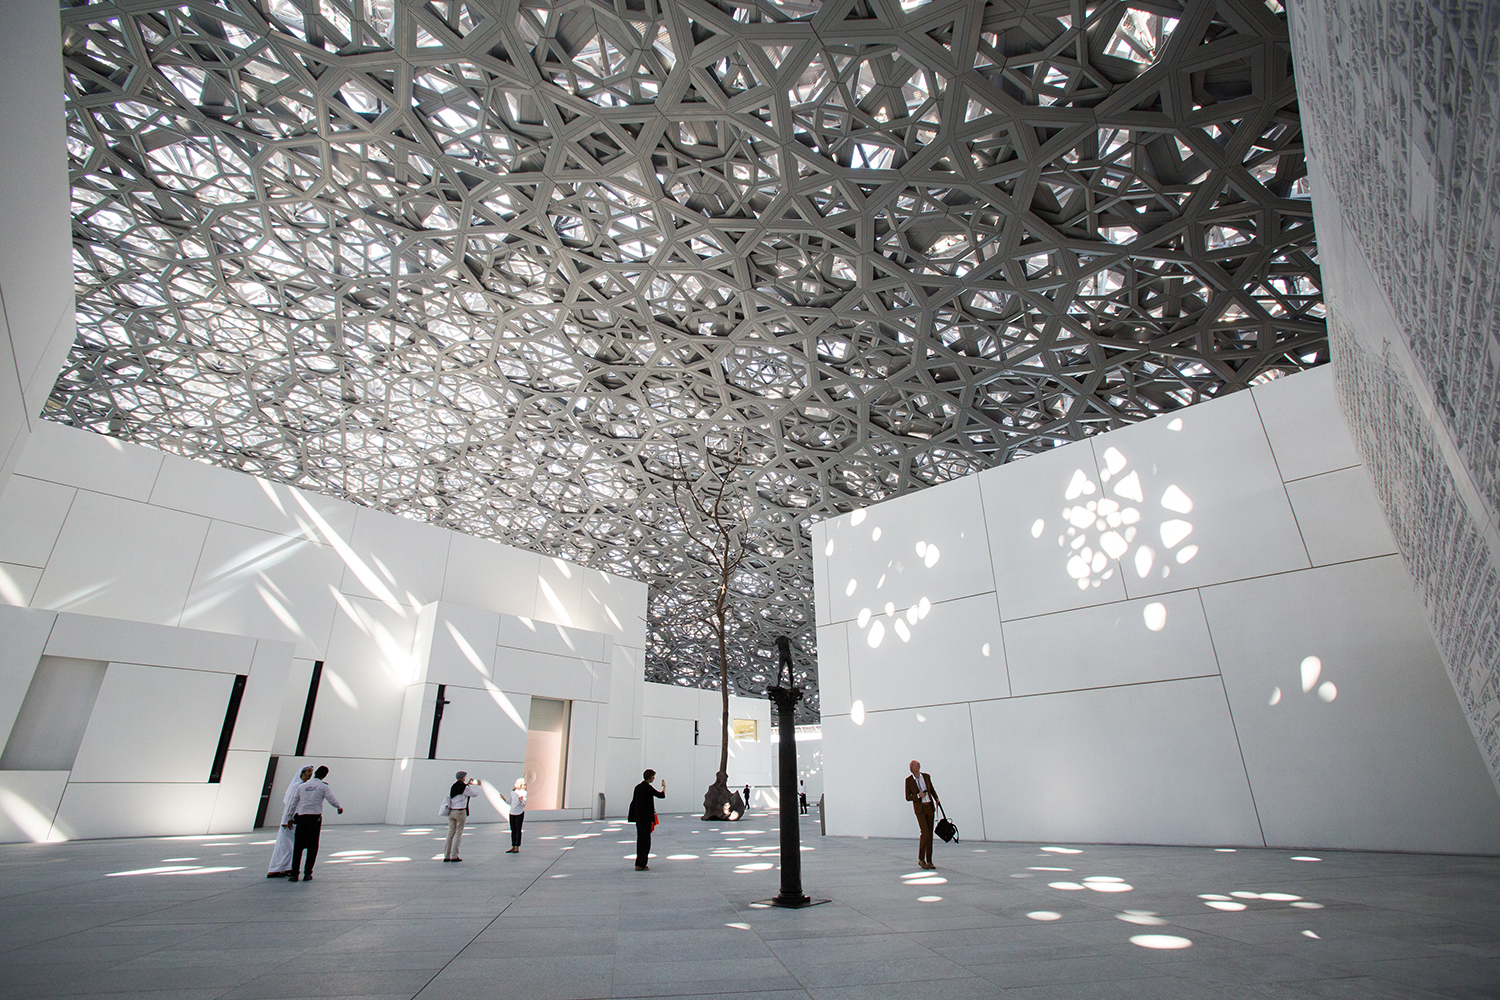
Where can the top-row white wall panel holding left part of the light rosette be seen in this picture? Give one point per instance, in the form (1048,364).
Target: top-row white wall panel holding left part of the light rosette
(1031,542)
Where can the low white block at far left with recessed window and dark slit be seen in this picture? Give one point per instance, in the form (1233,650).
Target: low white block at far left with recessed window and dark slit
(151,738)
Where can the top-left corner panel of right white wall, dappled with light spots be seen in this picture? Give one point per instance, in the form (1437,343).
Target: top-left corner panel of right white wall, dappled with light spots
(884,554)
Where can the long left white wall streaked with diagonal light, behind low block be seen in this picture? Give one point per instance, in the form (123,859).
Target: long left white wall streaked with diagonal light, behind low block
(97,527)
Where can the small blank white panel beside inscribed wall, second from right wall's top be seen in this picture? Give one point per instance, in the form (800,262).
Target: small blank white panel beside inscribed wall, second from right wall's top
(1340,516)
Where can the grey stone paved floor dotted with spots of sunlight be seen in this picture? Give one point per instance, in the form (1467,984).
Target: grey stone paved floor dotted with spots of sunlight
(568,918)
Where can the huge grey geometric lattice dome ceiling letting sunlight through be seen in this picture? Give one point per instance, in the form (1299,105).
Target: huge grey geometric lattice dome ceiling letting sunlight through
(511,268)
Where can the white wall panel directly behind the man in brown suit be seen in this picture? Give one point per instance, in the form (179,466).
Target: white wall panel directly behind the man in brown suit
(866,770)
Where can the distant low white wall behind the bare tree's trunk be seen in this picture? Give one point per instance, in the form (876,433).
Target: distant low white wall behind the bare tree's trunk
(689,767)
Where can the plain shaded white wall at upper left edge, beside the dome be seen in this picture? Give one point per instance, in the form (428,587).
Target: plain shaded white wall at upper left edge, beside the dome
(37,259)
